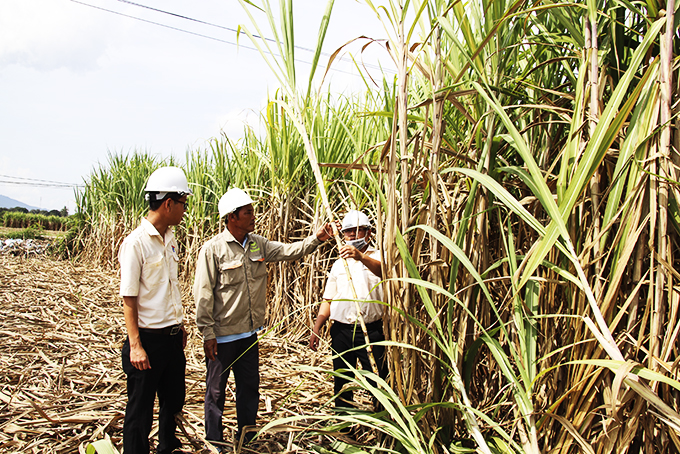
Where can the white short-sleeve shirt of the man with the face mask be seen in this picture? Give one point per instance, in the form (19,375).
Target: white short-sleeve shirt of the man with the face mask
(366,284)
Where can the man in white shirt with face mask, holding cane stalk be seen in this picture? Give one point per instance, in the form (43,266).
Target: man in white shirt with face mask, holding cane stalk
(364,263)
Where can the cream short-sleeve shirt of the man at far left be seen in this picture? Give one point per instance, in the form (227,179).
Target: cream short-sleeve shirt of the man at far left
(148,270)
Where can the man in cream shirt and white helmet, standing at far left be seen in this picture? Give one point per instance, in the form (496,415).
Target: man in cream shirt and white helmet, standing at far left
(153,353)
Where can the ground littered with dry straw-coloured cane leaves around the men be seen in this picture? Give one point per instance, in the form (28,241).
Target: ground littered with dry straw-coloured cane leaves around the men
(62,386)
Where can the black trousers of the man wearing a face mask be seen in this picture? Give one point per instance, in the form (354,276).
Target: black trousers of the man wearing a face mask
(344,337)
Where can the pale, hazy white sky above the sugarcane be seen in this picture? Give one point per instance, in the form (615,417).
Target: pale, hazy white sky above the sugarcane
(82,79)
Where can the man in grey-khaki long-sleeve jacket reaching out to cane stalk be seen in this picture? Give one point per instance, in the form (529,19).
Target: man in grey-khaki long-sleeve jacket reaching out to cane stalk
(230,289)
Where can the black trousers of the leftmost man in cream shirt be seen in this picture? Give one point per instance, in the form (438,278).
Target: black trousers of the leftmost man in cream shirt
(165,379)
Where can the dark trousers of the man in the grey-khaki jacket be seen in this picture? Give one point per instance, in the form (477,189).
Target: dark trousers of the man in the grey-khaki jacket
(243,357)
